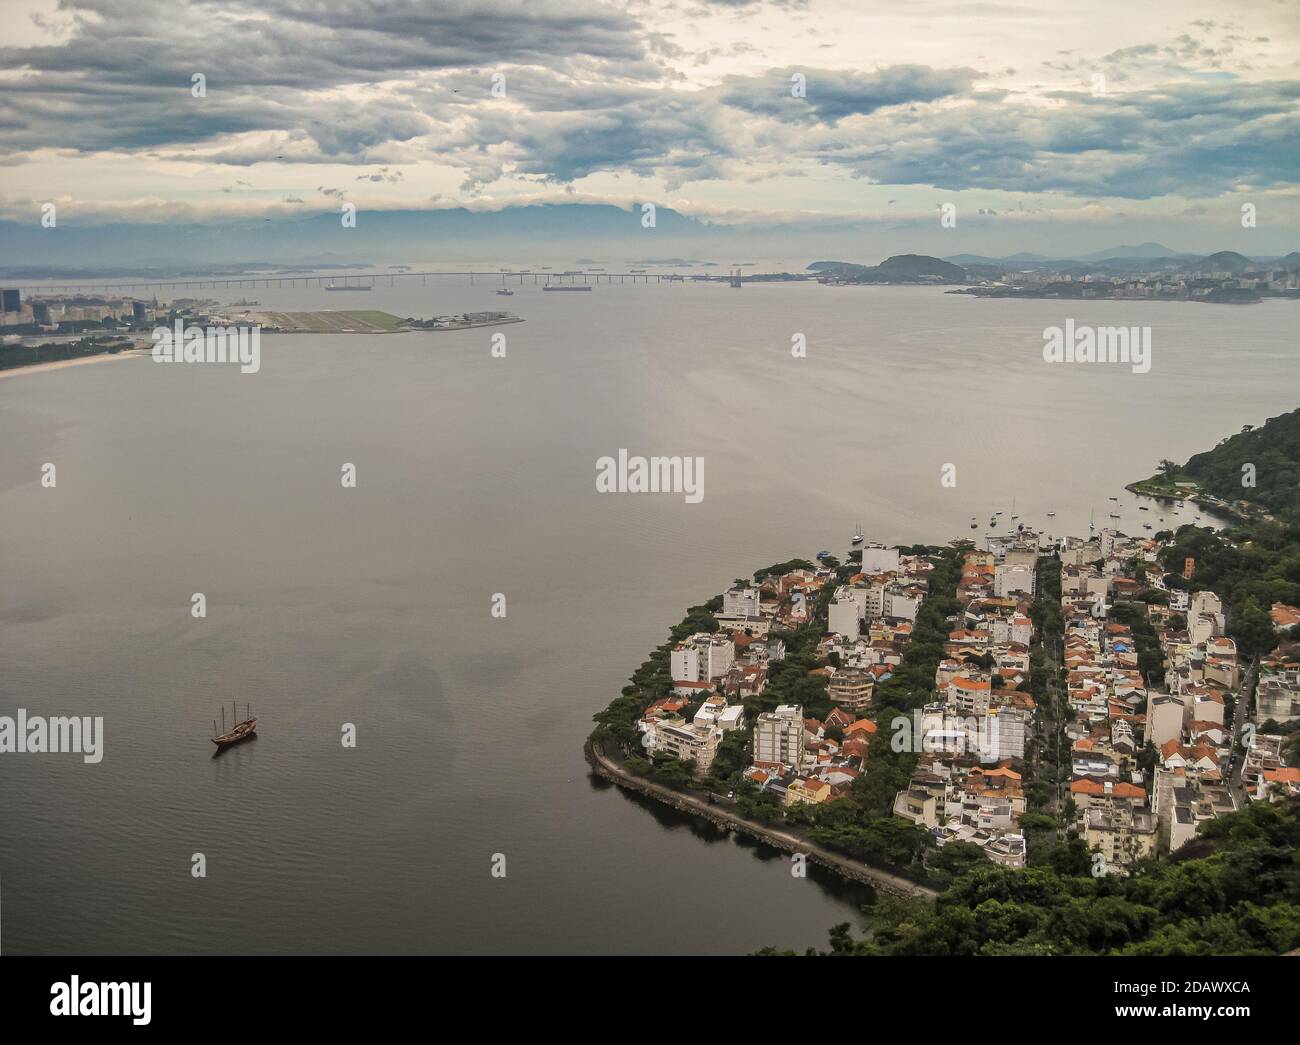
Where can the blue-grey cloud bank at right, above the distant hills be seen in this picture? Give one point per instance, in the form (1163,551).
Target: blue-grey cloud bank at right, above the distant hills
(1189,140)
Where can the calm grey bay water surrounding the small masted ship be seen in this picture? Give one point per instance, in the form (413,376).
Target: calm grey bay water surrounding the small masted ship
(476,476)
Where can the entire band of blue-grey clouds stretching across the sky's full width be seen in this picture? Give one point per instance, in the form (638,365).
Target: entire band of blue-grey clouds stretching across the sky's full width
(345,81)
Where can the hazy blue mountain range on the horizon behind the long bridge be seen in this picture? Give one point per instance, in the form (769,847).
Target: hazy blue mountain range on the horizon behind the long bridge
(528,236)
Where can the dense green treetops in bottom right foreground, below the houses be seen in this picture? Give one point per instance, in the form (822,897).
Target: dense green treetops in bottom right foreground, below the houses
(1238,894)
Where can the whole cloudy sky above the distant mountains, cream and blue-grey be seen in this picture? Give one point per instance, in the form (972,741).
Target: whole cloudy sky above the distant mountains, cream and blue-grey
(1147,120)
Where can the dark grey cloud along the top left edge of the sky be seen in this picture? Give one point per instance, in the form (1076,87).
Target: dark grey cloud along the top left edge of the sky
(313,45)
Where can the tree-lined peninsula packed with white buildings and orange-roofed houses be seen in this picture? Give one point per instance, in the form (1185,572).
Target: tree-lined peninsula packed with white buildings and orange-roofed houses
(1051,719)
